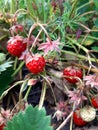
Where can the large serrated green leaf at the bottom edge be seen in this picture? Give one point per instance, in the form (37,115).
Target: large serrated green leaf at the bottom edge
(30,119)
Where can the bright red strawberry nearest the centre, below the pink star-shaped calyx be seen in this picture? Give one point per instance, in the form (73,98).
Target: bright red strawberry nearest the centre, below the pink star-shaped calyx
(35,64)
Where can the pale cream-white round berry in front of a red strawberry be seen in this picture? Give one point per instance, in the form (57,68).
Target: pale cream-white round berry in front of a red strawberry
(88,113)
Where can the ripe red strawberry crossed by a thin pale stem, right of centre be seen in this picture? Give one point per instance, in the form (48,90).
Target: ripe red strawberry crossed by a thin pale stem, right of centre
(71,73)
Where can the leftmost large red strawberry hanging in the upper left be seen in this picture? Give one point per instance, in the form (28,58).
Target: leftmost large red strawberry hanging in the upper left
(16,46)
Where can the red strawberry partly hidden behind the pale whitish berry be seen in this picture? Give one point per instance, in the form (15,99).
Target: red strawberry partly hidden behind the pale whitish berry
(77,118)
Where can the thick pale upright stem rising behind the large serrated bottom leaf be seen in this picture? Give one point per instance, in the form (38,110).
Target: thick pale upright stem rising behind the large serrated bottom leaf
(41,102)
